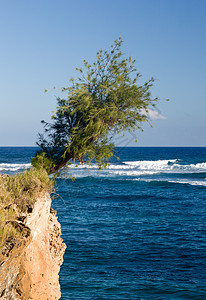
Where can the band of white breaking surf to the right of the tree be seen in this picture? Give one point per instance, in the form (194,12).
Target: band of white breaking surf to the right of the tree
(145,170)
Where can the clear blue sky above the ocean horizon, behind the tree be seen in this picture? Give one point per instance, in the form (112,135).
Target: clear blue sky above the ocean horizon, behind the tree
(43,41)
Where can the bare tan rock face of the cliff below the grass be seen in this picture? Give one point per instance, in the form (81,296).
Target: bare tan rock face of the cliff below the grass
(31,269)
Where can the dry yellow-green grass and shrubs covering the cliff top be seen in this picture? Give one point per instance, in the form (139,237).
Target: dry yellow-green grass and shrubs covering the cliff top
(17,193)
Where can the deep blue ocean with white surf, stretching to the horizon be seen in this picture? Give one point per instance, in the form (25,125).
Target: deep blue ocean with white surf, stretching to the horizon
(136,230)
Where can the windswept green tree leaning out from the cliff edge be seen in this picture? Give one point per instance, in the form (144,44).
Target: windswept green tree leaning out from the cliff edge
(105,99)
